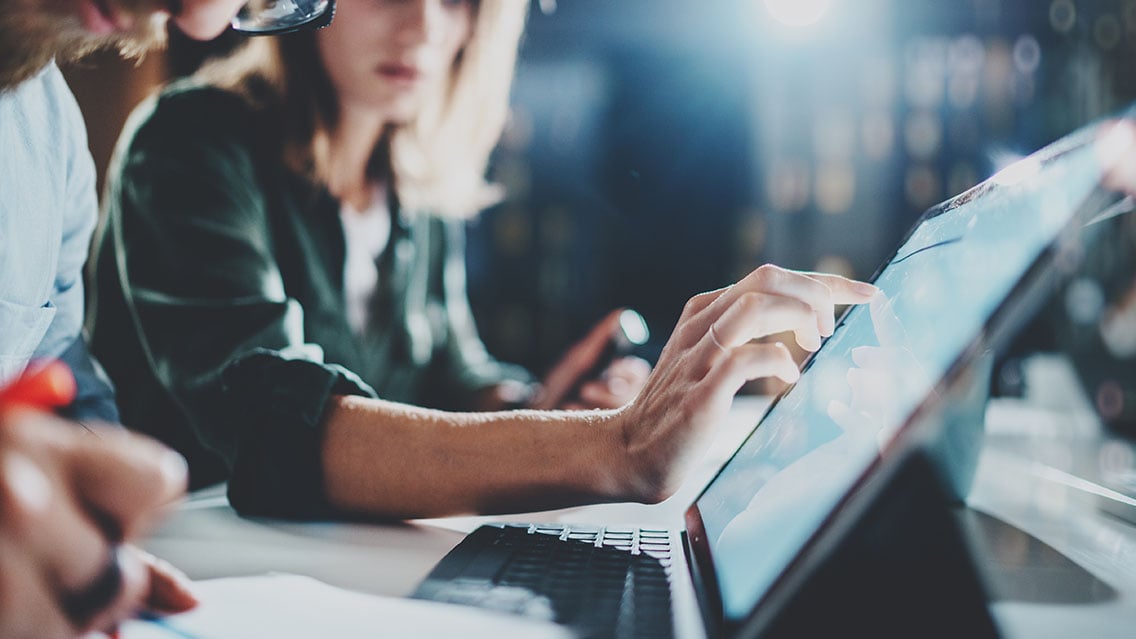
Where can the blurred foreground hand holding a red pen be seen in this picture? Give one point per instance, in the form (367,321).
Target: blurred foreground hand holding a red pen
(71,504)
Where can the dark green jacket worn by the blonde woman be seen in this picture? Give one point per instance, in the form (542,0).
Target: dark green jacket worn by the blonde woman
(220,309)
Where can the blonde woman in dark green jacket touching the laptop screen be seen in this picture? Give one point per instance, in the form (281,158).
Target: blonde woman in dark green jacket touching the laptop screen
(227,268)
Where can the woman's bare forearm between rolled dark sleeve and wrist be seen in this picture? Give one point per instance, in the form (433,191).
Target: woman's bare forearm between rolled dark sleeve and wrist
(404,462)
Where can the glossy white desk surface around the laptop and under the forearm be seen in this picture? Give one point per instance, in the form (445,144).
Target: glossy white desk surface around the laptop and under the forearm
(1031,476)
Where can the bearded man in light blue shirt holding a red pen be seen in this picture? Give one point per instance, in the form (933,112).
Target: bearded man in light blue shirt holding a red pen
(72,499)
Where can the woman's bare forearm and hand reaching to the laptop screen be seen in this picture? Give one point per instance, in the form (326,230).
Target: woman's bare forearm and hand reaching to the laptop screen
(398,461)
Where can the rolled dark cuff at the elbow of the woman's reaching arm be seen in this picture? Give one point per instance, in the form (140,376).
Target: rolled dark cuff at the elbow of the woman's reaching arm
(282,400)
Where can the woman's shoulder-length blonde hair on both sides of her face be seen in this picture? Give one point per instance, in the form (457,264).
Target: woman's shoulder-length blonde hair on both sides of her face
(438,162)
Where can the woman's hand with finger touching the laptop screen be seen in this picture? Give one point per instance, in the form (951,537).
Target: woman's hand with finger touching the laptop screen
(708,359)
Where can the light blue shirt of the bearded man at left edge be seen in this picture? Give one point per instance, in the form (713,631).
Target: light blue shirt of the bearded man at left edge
(48,211)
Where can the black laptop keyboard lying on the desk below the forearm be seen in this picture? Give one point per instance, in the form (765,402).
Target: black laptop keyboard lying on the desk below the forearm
(599,582)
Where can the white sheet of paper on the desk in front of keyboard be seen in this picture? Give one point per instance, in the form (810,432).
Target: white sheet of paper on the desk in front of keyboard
(287,607)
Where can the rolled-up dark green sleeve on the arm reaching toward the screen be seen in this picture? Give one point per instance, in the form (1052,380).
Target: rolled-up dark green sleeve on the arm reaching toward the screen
(196,261)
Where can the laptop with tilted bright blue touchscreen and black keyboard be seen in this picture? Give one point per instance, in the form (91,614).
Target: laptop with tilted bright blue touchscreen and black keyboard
(884,389)
